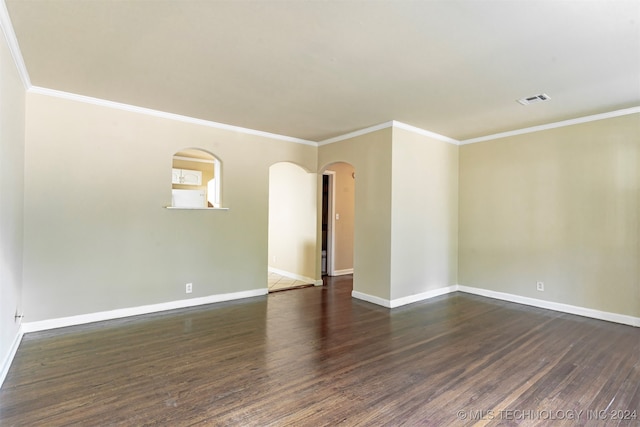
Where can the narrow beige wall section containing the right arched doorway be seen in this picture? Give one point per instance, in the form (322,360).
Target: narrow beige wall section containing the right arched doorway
(370,155)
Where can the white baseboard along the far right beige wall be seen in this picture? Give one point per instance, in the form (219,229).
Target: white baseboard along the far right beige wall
(556,306)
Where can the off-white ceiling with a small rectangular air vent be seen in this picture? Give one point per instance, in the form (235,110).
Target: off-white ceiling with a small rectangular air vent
(318,69)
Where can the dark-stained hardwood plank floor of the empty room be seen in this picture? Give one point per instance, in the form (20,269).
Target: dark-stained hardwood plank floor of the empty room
(315,357)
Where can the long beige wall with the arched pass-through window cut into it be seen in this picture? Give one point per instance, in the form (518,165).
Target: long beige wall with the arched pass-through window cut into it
(96,239)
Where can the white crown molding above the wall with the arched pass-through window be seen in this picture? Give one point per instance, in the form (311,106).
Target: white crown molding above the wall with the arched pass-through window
(162,114)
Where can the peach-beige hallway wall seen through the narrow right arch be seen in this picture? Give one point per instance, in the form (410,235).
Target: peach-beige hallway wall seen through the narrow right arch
(344,206)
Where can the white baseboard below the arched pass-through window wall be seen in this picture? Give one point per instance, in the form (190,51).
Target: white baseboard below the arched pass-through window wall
(135,311)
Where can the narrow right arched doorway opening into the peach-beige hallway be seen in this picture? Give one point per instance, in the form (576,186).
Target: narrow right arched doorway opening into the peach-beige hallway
(338,219)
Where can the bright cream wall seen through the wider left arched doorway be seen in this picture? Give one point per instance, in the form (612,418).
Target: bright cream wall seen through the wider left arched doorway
(292,220)
